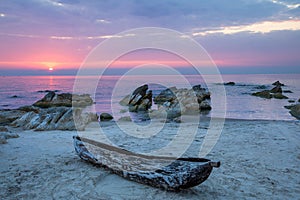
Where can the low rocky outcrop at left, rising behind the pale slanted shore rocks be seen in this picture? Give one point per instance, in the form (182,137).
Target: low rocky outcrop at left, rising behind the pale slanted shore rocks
(51,99)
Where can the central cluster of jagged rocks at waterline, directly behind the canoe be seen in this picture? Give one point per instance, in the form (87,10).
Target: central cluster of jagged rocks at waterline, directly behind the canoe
(171,102)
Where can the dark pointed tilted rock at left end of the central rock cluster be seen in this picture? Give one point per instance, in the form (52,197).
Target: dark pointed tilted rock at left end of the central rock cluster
(140,100)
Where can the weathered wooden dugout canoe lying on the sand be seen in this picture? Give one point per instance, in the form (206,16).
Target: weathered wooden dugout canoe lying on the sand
(162,172)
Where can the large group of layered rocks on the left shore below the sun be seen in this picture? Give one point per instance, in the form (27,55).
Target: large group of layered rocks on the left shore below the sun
(52,112)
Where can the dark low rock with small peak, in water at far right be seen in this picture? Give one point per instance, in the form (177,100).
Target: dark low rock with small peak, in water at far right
(275,92)
